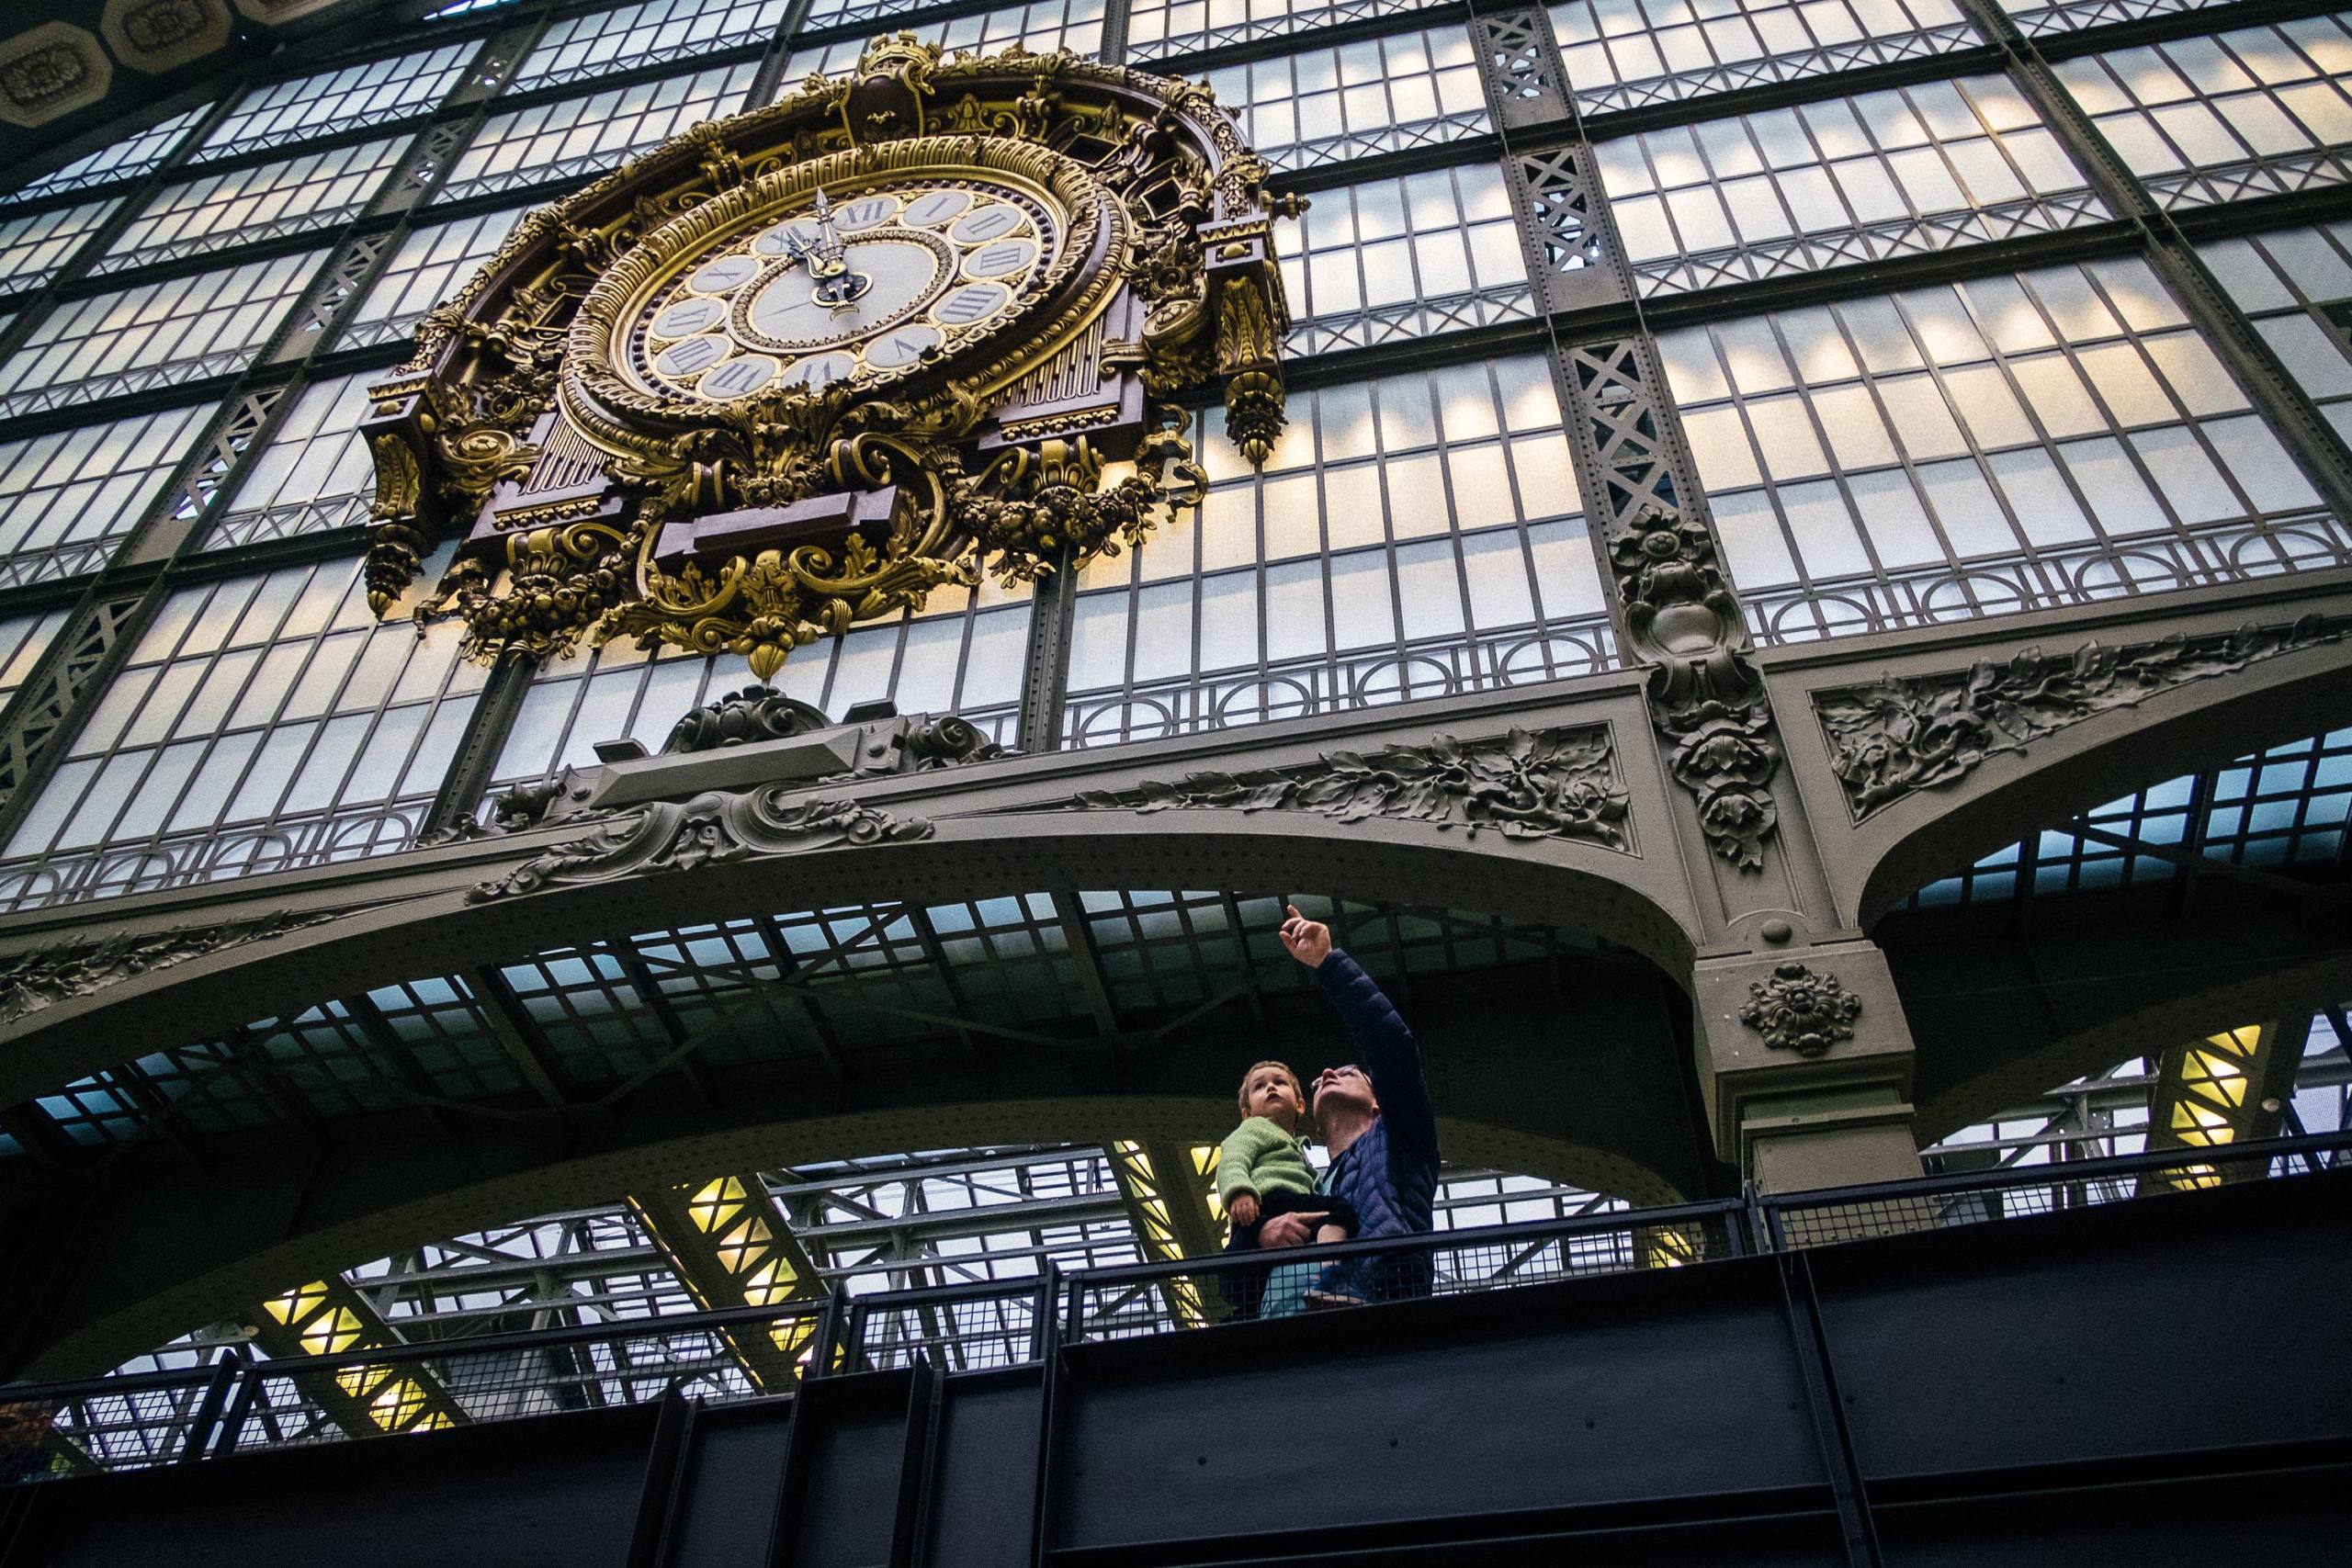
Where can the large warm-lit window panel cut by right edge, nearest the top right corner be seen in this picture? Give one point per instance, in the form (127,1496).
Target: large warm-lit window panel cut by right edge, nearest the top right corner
(2243,114)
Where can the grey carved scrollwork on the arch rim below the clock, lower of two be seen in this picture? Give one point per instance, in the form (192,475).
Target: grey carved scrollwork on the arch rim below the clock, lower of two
(714,829)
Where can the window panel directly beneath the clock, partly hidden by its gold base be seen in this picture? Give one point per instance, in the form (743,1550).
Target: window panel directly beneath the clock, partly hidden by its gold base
(963,655)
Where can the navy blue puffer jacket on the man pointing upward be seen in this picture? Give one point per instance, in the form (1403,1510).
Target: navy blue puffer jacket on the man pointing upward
(1391,1172)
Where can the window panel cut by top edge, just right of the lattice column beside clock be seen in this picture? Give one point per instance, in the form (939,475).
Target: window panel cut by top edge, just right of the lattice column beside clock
(1633,53)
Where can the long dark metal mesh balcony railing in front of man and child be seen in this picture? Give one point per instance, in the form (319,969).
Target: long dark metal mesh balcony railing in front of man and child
(241,1405)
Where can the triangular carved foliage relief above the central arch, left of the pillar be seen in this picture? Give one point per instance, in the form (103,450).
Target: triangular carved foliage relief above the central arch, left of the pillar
(1551,784)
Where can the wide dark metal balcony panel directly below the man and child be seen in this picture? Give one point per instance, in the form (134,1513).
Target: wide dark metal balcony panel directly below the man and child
(1577,1398)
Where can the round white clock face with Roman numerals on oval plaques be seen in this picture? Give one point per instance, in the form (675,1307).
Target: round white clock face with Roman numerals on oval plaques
(867,283)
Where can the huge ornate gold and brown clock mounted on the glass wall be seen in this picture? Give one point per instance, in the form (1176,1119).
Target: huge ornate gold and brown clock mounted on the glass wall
(801,368)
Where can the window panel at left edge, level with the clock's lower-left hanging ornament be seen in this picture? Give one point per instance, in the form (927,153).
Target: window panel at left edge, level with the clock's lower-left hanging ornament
(72,497)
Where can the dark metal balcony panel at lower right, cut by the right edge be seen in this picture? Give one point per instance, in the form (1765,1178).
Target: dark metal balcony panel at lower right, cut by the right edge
(2193,1322)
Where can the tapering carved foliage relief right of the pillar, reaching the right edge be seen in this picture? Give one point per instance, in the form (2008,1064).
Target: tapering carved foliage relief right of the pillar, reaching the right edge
(1899,737)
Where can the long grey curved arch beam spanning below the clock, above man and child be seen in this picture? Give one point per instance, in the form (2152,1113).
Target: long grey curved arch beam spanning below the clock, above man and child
(338,930)
